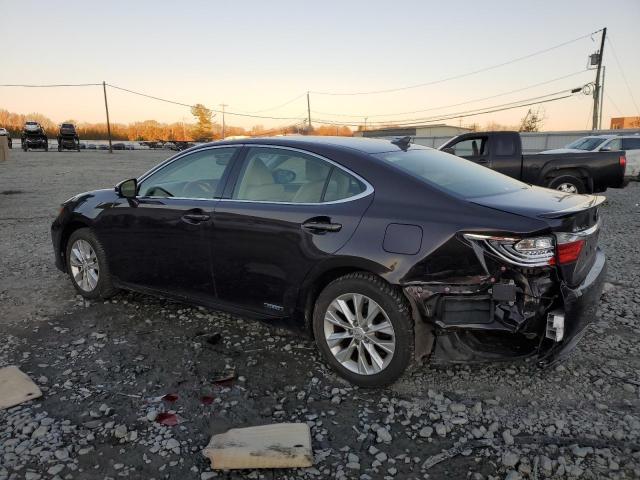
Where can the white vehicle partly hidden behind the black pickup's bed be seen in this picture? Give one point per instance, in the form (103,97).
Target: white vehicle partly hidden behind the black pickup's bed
(609,143)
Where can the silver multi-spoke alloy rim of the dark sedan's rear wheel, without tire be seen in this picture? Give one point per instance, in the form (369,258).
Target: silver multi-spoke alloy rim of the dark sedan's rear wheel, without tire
(359,334)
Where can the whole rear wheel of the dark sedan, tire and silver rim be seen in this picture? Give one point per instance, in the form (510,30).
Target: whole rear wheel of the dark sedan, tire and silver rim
(363,329)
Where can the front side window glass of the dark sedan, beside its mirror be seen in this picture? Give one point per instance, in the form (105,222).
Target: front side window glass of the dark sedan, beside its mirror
(196,175)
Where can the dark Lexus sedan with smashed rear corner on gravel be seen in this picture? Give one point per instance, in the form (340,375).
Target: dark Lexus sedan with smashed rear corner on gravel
(385,252)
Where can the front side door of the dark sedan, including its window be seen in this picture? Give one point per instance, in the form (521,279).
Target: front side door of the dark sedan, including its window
(159,239)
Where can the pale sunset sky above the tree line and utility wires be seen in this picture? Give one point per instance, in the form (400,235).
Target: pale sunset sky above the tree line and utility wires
(255,55)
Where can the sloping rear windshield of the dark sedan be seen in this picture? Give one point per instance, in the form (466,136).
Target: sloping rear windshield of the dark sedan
(452,174)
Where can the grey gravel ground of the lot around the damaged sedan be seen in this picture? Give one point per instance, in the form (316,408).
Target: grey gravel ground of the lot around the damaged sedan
(101,365)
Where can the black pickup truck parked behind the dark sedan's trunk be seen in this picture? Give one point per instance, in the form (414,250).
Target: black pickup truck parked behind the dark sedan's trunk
(587,172)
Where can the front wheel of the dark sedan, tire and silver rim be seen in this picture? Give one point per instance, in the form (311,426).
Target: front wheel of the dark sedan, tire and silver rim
(87,266)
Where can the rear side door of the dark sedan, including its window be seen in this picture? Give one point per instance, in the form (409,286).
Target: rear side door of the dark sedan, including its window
(288,210)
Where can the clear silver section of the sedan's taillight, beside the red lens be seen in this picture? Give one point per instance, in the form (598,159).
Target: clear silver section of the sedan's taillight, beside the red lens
(524,252)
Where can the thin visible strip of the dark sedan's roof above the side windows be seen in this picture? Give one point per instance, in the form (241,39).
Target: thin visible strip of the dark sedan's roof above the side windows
(365,145)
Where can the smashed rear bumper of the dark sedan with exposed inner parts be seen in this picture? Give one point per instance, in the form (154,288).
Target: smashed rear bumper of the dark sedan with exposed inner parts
(504,316)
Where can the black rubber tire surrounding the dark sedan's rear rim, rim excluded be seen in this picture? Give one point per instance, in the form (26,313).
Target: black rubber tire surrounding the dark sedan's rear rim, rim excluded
(395,305)
